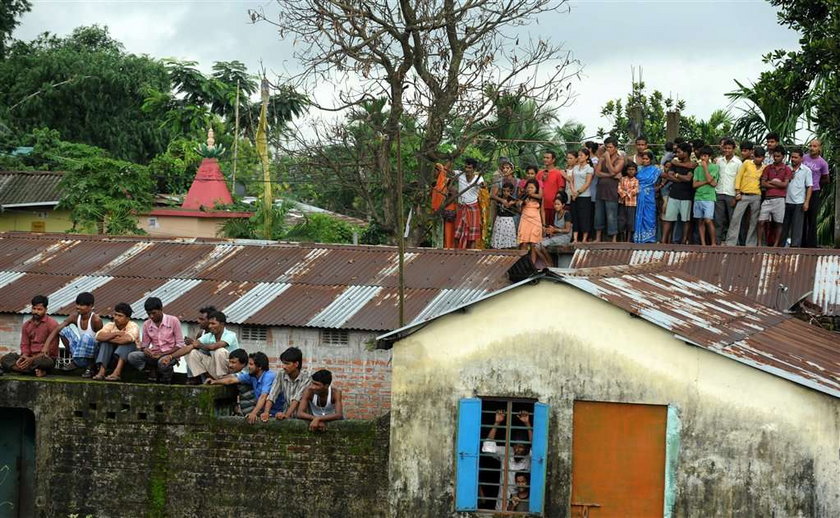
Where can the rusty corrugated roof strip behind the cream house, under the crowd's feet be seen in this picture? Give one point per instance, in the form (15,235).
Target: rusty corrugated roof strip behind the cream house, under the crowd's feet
(775,277)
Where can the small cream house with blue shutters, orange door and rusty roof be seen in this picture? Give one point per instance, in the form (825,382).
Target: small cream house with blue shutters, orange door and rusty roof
(636,391)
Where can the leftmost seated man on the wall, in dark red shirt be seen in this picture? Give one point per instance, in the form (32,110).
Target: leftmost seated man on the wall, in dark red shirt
(36,355)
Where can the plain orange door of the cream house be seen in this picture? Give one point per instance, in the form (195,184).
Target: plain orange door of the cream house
(618,460)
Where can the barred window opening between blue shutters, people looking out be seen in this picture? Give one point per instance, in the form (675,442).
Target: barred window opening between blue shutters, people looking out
(498,490)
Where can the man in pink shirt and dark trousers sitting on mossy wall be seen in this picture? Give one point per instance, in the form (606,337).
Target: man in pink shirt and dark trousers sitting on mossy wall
(162,344)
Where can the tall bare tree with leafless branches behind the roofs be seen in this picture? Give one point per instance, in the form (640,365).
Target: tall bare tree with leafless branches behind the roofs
(440,62)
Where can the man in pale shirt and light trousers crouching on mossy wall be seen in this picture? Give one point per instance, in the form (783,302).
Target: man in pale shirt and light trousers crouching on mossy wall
(208,355)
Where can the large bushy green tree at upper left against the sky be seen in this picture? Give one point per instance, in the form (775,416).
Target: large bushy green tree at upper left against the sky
(86,87)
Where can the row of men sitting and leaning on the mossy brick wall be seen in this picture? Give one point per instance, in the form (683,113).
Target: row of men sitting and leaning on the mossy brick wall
(213,357)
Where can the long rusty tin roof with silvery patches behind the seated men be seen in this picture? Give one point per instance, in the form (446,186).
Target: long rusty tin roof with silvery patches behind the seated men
(260,283)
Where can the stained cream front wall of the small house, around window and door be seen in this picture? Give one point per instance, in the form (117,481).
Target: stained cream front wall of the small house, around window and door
(752,444)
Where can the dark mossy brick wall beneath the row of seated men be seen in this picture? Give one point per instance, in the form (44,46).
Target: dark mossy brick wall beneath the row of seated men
(147,450)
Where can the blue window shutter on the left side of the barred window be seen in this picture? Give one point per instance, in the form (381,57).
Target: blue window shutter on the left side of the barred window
(466,460)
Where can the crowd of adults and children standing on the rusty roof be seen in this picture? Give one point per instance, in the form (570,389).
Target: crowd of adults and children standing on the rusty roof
(695,193)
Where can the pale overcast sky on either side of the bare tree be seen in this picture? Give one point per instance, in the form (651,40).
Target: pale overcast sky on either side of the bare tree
(689,49)
